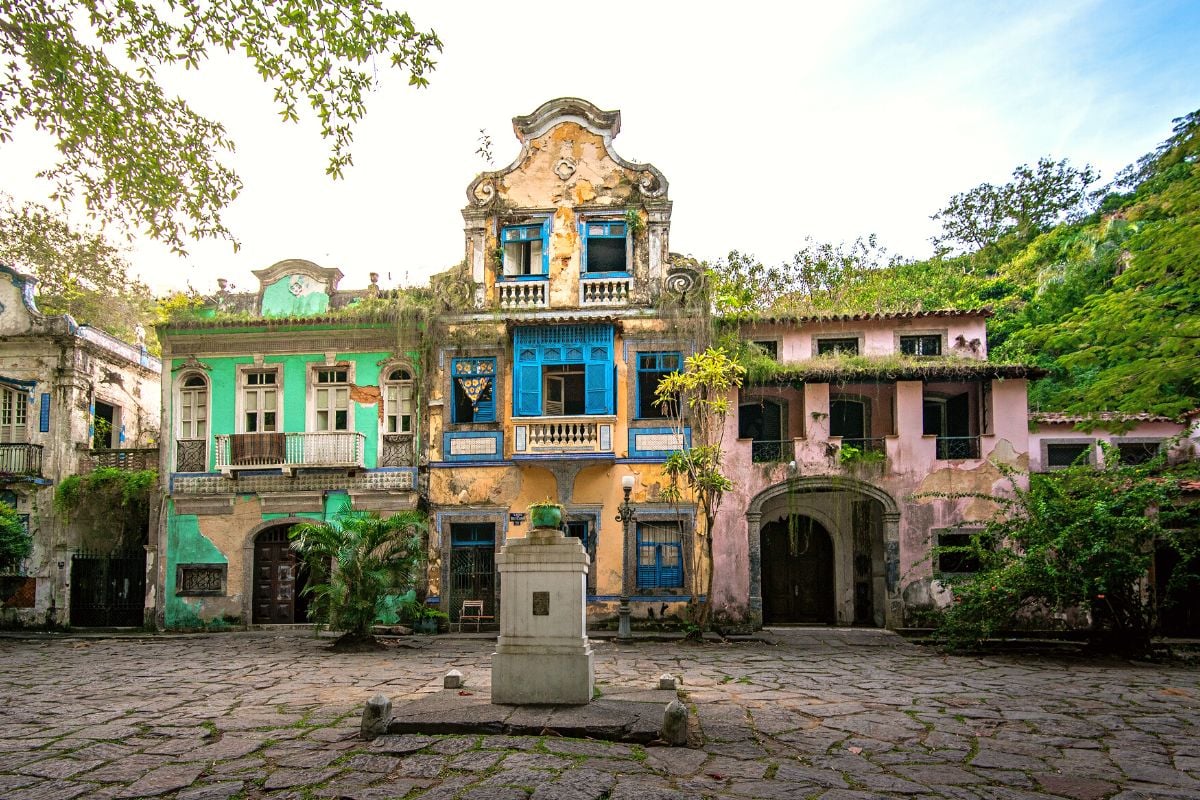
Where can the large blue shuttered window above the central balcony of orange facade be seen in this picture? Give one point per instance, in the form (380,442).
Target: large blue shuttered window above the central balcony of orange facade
(566,370)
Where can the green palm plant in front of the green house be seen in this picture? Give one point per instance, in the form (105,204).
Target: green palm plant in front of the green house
(355,562)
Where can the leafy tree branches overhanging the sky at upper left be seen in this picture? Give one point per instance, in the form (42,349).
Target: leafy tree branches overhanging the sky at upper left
(85,73)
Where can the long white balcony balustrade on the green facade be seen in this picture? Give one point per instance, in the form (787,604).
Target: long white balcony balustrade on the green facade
(291,452)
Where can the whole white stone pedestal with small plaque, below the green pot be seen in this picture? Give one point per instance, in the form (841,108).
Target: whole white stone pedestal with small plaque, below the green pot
(543,657)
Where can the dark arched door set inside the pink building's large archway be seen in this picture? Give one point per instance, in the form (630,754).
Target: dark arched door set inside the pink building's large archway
(797,572)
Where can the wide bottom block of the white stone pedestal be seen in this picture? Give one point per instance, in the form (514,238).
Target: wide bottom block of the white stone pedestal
(543,678)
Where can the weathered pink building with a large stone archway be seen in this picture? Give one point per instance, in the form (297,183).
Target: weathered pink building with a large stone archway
(832,518)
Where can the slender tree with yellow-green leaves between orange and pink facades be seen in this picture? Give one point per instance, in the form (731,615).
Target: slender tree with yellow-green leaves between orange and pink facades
(699,398)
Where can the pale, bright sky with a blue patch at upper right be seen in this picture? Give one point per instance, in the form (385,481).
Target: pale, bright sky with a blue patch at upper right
(771,122)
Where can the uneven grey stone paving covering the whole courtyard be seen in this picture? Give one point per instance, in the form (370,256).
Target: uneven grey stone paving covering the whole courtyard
(814,714)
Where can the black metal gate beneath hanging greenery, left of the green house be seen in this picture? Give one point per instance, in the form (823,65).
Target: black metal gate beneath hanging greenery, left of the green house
(109,590)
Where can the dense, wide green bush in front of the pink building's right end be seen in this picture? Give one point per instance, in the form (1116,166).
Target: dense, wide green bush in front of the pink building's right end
(1077,539)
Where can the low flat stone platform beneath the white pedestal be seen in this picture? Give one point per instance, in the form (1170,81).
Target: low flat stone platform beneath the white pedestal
(637,721)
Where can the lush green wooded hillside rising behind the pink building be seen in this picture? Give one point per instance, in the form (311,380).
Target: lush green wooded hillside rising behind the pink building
(1101,290)
